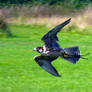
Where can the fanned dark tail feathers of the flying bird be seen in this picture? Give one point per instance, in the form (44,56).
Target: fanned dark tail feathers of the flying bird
(72,54)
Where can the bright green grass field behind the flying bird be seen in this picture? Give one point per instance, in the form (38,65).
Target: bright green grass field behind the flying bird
(20,73)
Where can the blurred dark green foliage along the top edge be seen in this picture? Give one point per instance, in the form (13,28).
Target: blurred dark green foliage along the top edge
(77,4)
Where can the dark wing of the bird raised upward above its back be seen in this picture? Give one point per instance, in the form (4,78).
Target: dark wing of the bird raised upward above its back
(50,38)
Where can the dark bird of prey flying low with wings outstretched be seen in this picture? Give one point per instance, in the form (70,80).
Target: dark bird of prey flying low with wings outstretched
(51,50)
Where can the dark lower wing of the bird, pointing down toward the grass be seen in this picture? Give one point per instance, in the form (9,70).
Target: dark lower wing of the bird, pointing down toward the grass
(45,63)
